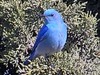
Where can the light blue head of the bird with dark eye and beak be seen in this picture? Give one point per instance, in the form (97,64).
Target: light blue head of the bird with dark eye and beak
(51,15)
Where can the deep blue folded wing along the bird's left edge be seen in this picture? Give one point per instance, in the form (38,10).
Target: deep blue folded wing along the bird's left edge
(41,36)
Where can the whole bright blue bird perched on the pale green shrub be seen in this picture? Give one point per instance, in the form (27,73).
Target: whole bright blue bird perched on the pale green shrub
(51,37)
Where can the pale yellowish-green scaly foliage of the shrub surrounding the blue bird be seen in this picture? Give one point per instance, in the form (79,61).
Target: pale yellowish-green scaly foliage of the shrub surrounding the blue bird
(19,23)
